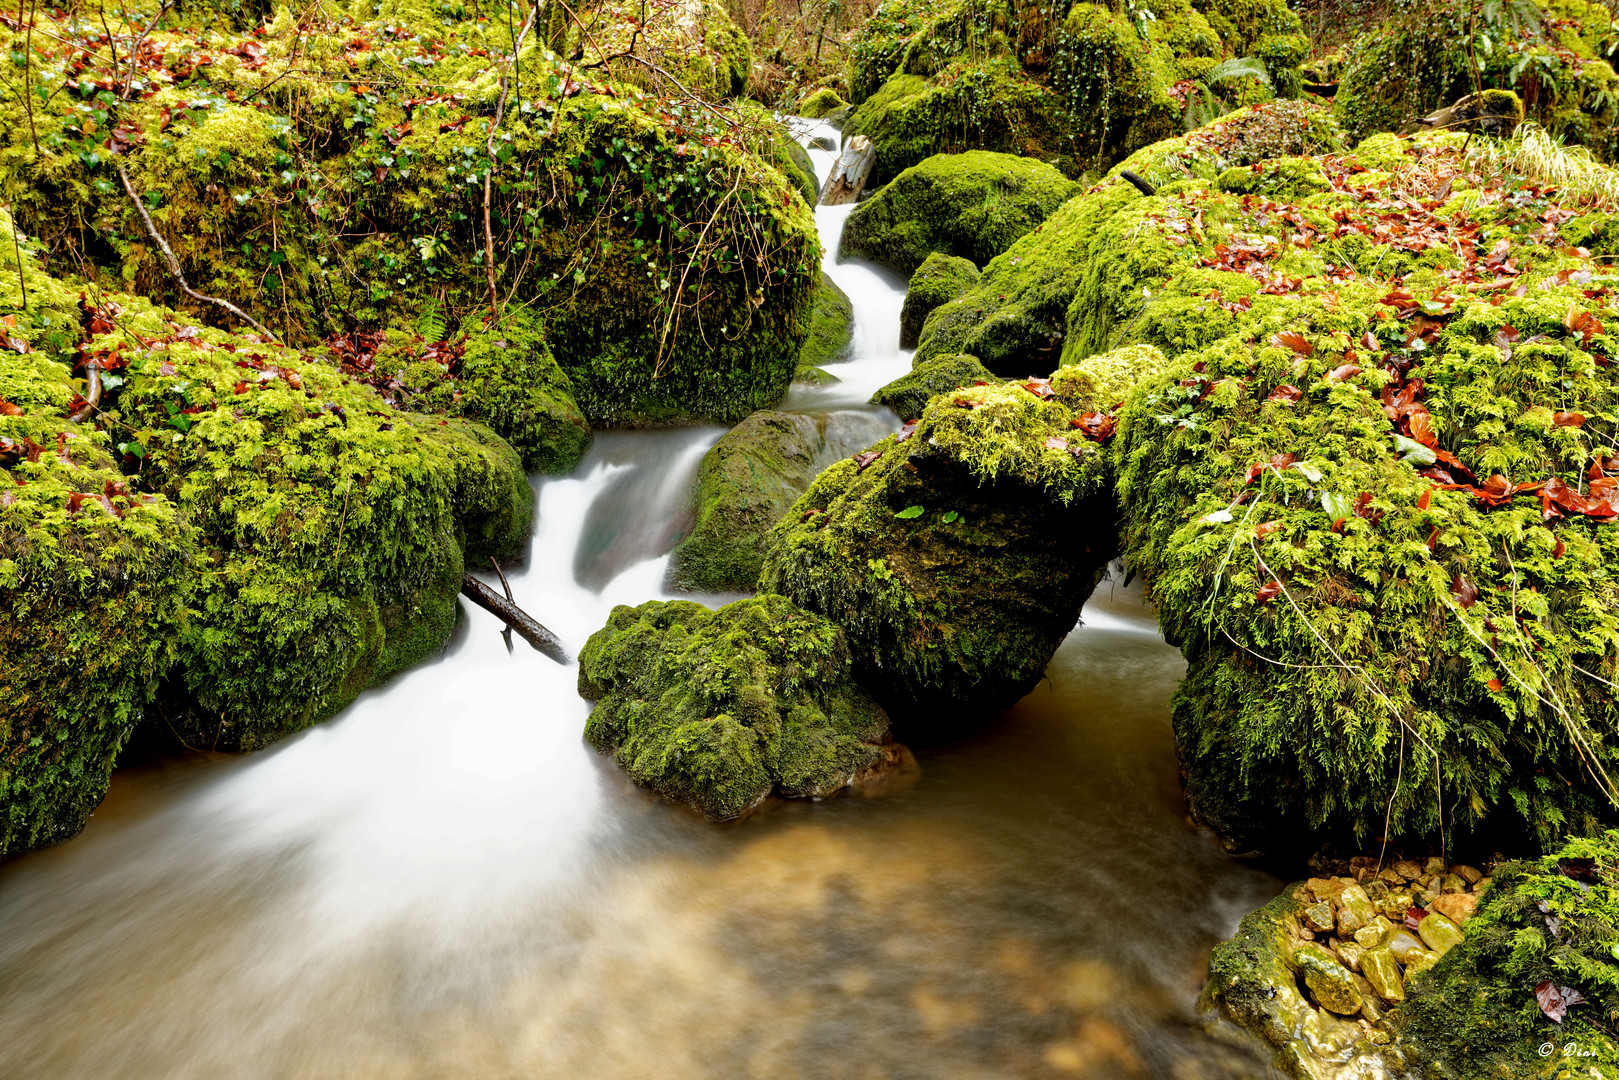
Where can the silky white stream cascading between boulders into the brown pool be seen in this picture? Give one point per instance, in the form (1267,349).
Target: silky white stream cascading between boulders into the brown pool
(448,883)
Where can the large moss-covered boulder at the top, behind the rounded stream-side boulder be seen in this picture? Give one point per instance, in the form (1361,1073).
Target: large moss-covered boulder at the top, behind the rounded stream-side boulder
(1077,87)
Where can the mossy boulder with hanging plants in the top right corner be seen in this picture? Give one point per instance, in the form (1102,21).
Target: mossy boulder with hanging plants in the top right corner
(1422,57)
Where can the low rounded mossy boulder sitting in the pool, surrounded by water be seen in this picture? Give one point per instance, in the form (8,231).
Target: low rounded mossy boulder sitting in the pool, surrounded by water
(721,708)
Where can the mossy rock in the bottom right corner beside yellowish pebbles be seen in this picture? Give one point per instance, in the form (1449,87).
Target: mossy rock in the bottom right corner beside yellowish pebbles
(1476,1013)
